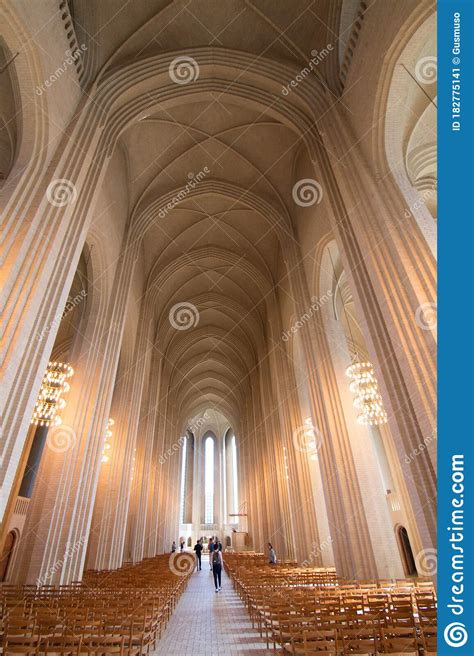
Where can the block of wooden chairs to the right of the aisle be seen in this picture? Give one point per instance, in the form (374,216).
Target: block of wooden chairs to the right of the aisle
(298,614)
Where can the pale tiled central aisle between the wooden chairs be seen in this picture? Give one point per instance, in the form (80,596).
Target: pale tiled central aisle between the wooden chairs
(206,623)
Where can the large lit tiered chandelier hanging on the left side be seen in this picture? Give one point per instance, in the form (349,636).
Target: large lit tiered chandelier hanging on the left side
(49,400)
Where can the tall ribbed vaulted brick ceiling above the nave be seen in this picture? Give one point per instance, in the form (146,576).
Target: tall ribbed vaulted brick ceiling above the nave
(213,260)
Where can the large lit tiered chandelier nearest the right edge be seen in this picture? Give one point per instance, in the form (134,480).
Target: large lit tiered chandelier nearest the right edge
(367,399)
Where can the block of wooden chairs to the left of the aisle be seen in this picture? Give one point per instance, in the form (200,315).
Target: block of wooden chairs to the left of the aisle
(114,612)
